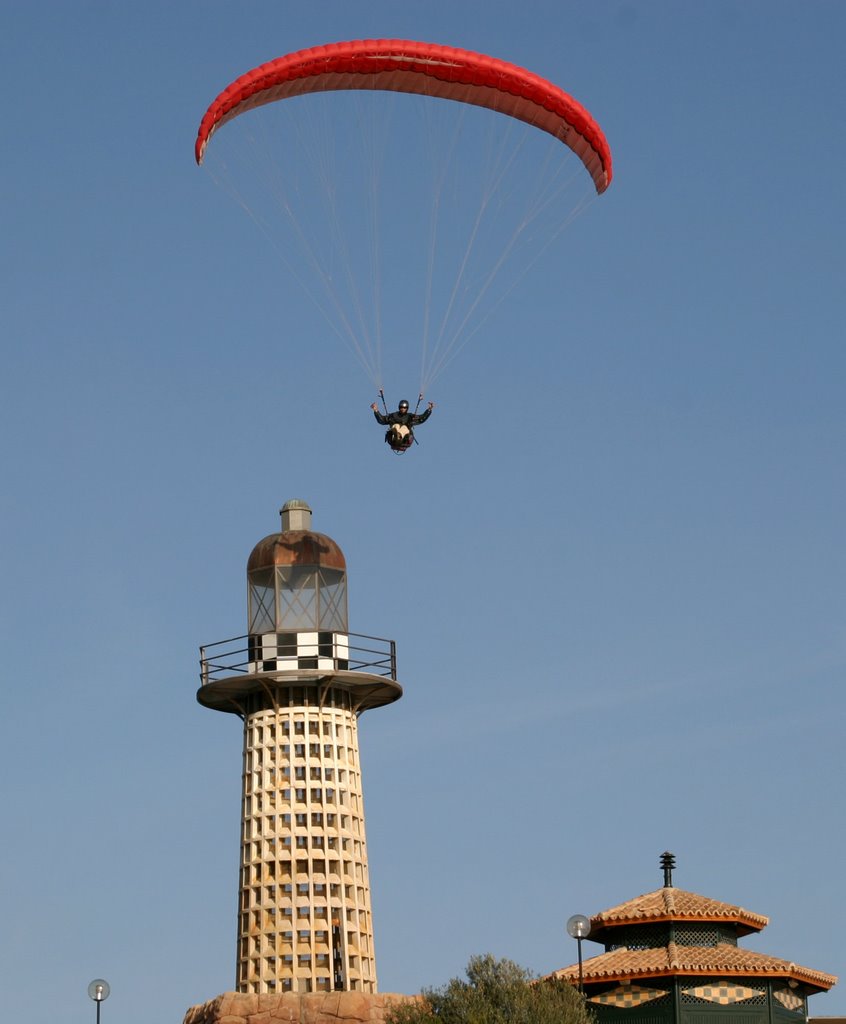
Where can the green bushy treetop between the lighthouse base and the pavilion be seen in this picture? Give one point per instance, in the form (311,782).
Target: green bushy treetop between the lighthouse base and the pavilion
(496,993)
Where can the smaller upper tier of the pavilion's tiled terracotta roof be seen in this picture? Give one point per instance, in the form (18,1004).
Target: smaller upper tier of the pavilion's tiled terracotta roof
(670,904)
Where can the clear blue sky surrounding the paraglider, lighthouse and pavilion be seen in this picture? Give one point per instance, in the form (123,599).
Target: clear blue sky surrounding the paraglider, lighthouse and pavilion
(621,619)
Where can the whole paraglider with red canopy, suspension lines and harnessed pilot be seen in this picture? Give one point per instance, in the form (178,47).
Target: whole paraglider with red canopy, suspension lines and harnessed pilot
(339,262)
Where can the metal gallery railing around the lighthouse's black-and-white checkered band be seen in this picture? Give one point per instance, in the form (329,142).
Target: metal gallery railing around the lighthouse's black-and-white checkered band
(249,655)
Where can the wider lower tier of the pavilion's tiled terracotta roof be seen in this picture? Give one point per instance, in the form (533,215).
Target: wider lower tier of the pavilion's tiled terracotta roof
(674,960)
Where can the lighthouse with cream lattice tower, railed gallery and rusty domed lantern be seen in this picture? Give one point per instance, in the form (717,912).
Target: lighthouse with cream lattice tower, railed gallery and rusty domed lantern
(300,680)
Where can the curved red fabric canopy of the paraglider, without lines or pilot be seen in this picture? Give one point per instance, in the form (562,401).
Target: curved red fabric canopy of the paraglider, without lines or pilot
(428,69)
